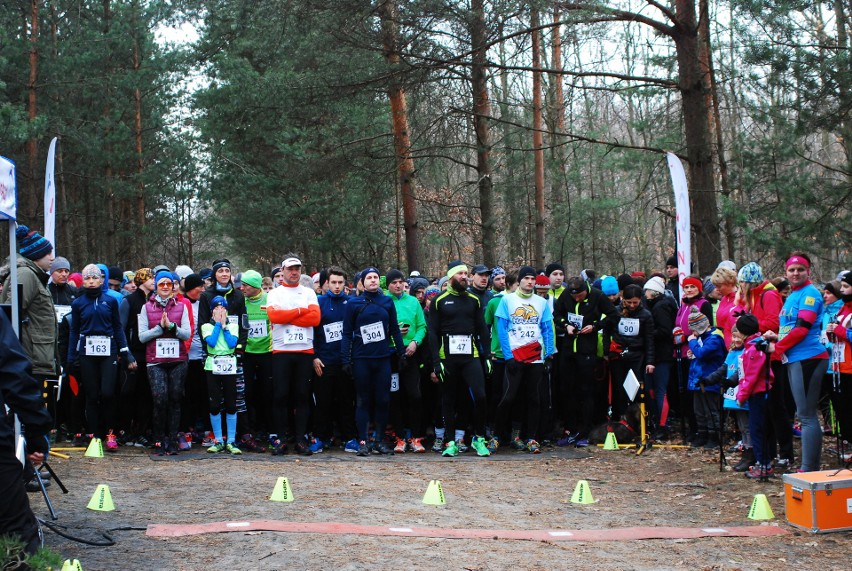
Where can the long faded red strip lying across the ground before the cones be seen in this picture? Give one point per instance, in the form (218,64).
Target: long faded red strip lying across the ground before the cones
(331,528)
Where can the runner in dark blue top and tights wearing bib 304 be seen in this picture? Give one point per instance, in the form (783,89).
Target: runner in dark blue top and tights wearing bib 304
(369,325)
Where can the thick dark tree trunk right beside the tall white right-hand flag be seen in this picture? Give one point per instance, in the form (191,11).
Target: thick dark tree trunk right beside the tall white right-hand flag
(693,84)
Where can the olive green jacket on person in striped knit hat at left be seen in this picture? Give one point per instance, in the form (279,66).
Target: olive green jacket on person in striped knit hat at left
(39,328)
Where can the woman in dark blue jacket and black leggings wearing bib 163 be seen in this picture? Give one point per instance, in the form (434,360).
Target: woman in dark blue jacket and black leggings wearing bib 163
(95,341)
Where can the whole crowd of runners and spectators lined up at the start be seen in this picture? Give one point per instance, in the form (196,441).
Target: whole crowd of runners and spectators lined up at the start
(479,358)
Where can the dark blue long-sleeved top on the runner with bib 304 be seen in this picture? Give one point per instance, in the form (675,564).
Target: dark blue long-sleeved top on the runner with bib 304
(362,312)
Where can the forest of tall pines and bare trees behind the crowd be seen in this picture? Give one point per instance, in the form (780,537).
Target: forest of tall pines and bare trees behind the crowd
(409,133)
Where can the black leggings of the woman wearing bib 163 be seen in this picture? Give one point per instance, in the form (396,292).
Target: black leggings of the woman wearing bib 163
(100,376)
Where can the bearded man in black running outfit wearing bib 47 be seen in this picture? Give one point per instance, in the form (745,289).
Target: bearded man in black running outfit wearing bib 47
(456,329)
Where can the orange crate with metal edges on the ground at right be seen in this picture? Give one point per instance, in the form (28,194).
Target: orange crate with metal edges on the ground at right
(819,502)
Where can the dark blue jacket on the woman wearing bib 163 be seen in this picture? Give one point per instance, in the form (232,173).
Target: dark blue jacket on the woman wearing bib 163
(95,316)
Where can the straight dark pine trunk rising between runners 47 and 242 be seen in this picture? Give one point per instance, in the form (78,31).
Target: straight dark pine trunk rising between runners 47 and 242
(481,114)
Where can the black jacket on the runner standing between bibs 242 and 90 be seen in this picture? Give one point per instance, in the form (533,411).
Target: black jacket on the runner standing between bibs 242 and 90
(594,310)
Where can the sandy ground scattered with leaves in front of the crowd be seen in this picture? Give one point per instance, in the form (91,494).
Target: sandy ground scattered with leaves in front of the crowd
(513,491)
